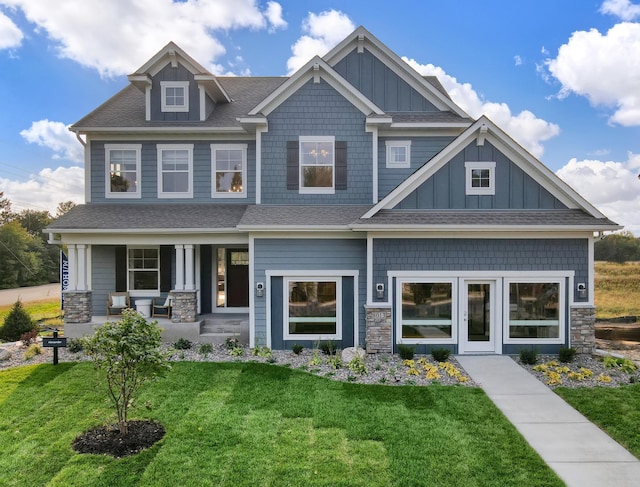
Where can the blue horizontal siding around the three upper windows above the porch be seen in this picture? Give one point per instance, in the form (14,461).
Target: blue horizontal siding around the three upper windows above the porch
(202,173)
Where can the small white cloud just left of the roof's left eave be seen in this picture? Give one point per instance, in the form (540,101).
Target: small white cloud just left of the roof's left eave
(55,136)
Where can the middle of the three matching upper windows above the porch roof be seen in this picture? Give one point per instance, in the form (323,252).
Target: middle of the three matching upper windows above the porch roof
(175,170)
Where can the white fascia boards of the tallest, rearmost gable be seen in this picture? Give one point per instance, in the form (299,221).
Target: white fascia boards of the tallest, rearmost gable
(395,62)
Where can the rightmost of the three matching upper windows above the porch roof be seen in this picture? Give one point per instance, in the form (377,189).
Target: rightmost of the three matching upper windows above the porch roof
(229,169)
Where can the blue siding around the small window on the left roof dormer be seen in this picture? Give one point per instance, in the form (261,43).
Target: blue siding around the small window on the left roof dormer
(174,74)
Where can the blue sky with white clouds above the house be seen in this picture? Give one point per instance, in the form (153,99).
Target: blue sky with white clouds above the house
(561,77)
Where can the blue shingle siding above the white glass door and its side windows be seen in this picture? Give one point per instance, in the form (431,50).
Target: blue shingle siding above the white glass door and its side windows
(480,255)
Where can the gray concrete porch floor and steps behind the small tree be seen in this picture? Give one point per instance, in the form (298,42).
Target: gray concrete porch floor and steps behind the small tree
(208,328)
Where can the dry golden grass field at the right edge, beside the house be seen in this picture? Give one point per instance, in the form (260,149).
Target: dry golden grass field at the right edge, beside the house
(617,289)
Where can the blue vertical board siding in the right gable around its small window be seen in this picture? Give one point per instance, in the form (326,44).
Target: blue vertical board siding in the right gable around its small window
(514,189)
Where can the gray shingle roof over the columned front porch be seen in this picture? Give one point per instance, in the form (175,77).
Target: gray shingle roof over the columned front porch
(158,216)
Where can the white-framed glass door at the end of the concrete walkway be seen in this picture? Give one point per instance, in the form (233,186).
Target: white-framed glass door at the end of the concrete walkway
(478,308)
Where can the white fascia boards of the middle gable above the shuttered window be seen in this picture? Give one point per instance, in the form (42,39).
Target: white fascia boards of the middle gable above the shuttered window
(302,76)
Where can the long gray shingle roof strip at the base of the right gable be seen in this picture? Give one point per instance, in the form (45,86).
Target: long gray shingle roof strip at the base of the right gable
(546,218)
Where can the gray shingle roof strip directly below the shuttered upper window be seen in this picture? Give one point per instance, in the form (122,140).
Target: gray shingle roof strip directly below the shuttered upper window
(309,216)
